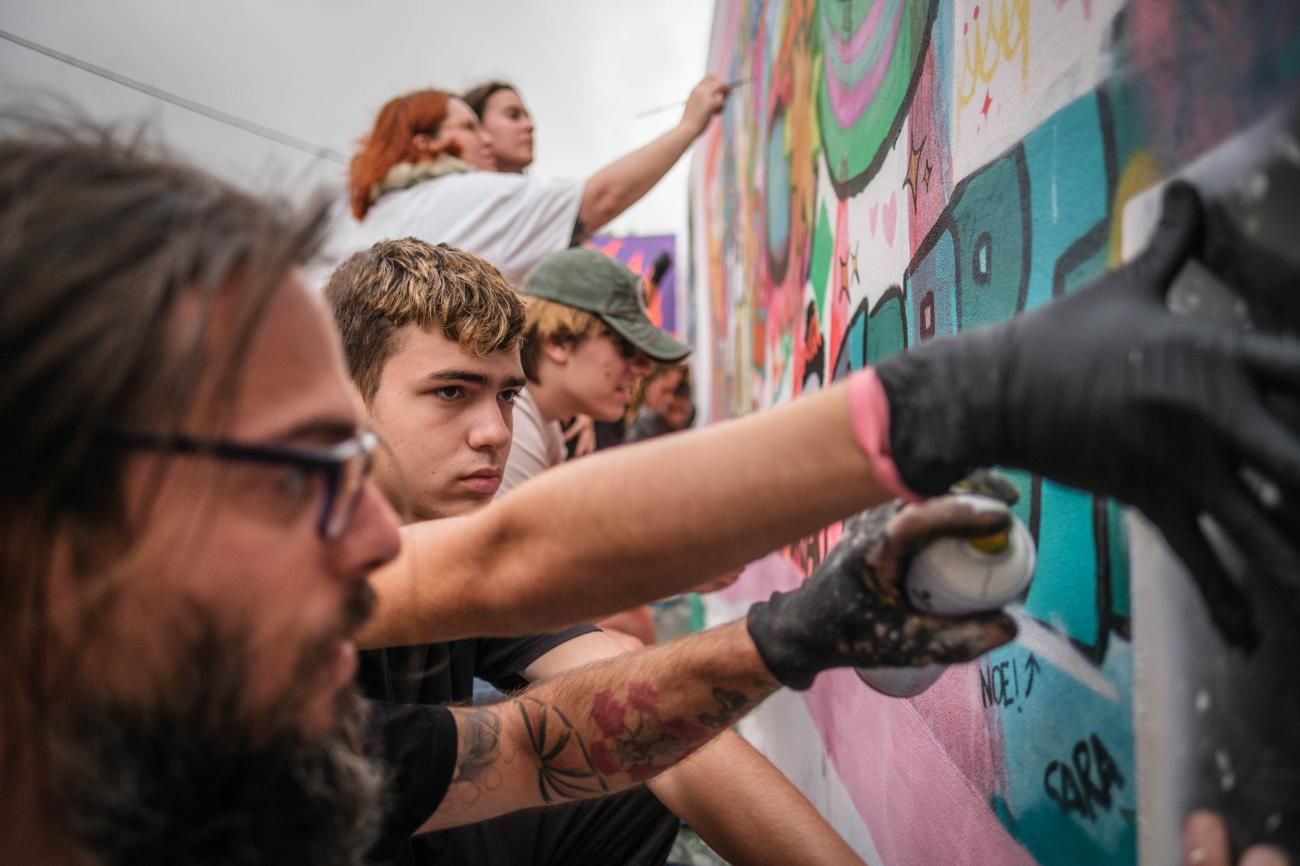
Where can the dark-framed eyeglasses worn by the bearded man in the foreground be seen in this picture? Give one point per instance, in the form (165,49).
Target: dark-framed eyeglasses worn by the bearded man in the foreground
(345,467)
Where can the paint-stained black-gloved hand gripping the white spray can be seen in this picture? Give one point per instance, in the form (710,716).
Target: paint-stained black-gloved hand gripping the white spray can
(853,610)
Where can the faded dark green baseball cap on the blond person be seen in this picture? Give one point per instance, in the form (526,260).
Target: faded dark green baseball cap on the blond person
(593,282)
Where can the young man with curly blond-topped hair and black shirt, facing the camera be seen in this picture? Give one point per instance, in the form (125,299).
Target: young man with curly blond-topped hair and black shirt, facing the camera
(432,337)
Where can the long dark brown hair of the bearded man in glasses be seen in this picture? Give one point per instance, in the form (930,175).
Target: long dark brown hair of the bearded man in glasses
(101,244)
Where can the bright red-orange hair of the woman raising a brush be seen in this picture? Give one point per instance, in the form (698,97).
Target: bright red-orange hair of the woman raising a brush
(393,141)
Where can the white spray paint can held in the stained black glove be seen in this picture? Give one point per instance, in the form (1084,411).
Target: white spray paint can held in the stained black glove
(955,577)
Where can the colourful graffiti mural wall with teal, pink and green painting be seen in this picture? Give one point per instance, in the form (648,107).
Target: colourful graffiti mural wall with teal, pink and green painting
(892,171)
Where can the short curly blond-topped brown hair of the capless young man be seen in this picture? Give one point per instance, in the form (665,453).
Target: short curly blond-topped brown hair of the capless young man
(409,282)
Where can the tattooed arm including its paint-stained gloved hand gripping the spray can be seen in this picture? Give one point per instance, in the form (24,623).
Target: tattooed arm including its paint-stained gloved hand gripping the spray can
(622,722)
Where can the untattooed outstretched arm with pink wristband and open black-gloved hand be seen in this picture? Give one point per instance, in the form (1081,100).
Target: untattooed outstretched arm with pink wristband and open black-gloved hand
(1106,389)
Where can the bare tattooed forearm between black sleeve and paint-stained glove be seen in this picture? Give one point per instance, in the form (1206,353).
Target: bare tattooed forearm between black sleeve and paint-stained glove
(604,729)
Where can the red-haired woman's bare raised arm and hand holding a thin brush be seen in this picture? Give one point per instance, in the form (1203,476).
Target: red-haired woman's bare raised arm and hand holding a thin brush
(622,184)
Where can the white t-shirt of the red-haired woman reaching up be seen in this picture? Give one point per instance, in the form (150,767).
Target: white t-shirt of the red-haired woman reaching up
(510,220)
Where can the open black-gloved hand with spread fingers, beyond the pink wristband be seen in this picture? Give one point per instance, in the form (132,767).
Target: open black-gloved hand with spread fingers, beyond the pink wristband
(1110,392)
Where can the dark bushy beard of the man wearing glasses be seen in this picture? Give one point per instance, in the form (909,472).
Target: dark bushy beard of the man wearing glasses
(193,781)
